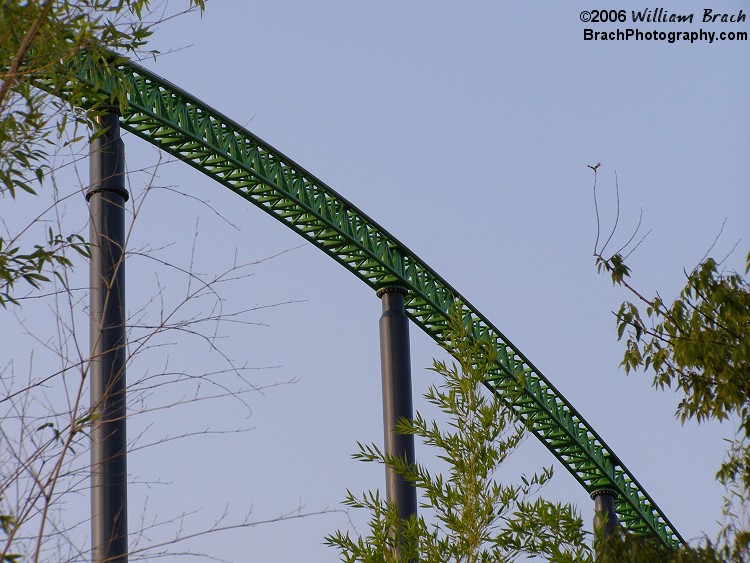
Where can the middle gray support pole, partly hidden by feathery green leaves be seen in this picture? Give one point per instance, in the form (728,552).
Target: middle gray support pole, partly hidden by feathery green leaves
(395,366)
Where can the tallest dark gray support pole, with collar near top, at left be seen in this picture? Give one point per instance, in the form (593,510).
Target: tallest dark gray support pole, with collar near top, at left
(107,196)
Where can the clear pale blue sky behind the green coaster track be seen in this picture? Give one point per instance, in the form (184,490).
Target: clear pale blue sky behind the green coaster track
(465,129)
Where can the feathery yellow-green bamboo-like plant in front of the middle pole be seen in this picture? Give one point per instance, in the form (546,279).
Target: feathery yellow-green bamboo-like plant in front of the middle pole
(467,515)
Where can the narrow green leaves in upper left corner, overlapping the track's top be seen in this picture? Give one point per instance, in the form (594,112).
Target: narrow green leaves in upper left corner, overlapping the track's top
(37,40)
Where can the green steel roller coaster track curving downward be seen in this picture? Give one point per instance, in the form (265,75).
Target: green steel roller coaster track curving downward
(183,126)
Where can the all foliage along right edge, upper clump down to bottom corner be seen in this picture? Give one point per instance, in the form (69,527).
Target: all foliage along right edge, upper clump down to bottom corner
(699,346)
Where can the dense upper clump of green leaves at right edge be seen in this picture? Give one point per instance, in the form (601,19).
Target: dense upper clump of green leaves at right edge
(700,344)
